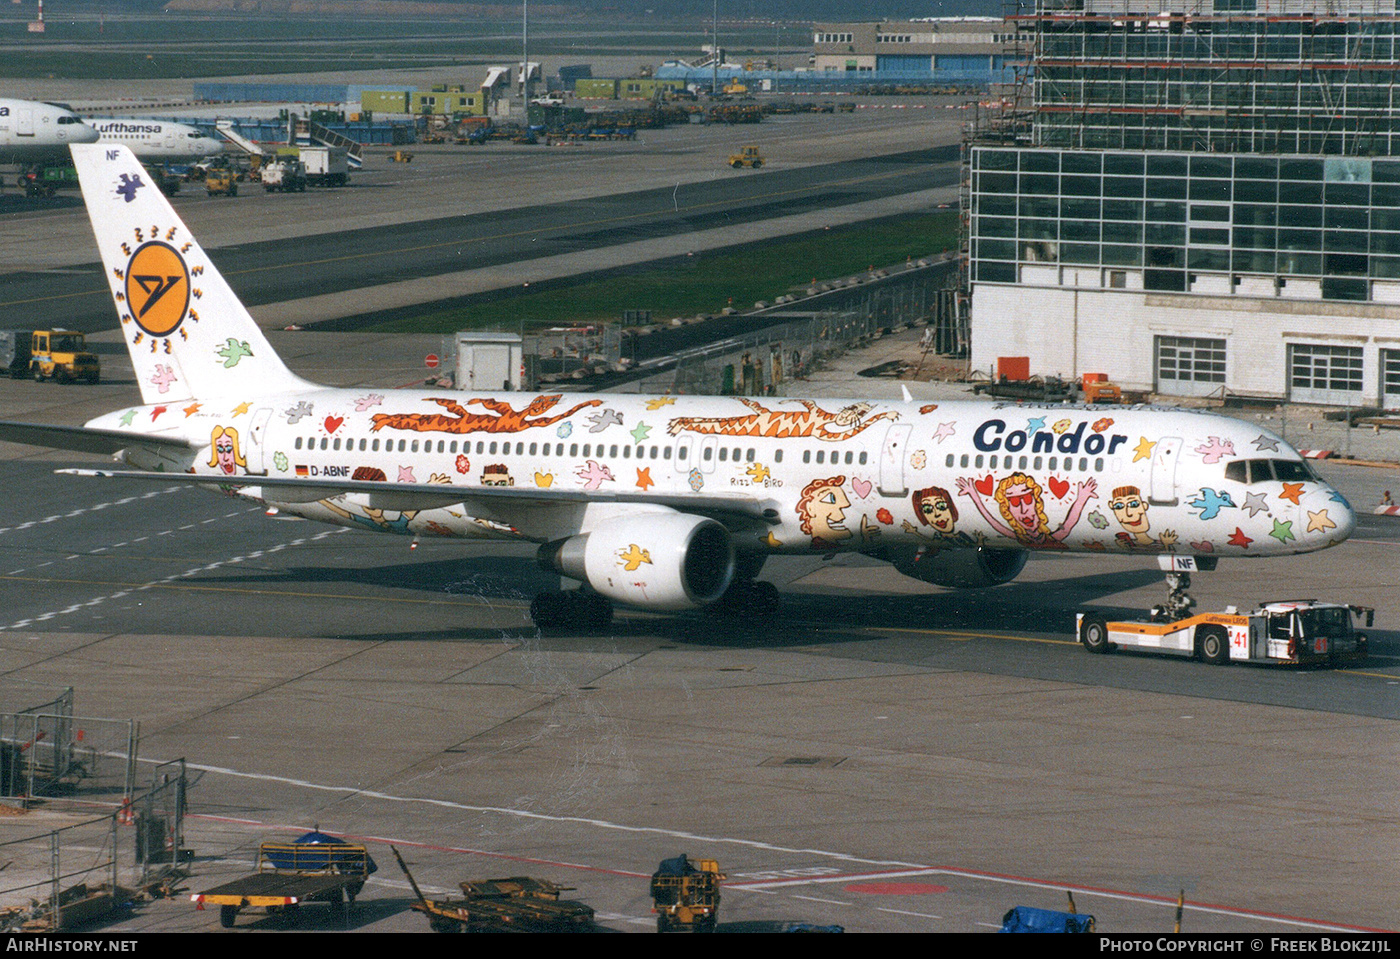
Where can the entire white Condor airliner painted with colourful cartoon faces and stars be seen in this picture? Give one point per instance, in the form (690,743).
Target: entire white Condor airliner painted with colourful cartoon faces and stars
(660,502)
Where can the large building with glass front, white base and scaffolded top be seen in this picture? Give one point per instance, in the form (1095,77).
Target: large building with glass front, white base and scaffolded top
(1196,198)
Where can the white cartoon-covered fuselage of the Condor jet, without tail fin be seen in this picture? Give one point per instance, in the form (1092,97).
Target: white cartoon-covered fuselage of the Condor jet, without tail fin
(834,477)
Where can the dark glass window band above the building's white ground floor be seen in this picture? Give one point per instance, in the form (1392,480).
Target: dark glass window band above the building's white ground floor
(1174,216)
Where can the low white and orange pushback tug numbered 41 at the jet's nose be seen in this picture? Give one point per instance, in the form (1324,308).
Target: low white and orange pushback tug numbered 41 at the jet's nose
(1296,632)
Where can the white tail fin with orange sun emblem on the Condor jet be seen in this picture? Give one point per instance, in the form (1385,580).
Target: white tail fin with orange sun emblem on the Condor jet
(187,331)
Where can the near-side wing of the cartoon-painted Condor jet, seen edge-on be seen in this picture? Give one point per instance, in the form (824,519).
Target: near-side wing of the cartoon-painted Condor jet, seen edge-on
(432,496)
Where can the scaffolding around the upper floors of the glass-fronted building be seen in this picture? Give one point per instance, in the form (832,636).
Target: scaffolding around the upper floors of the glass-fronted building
(1221,76)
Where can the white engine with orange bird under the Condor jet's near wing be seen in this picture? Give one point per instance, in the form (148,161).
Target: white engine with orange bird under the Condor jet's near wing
(663,561)
